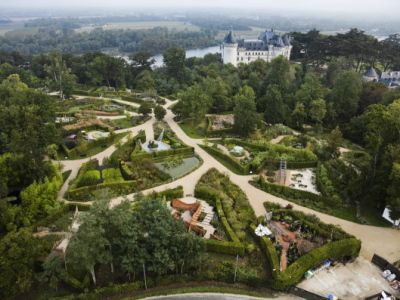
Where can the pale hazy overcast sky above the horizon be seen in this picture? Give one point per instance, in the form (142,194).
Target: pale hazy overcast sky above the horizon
(374,8)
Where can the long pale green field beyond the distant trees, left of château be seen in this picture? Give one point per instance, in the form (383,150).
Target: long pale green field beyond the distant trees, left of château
(180,26)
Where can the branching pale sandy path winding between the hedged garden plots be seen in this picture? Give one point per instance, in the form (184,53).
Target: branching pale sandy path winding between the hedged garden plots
(379,240)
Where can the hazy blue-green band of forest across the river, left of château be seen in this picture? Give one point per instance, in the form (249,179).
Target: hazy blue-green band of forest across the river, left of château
(67,40)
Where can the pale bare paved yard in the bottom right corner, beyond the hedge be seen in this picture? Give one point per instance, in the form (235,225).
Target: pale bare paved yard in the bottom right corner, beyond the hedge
(355,280)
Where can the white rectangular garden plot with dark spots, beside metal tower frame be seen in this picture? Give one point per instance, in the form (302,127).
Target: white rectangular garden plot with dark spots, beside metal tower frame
(302,179)
